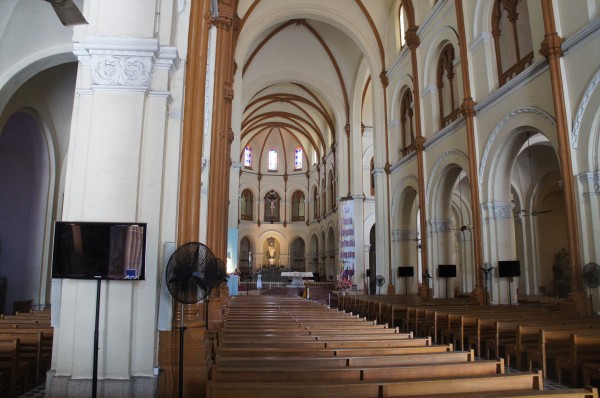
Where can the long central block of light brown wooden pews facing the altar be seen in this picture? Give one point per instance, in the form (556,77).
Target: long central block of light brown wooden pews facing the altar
(273,346)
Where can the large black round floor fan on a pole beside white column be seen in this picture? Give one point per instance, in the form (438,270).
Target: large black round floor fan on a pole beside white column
(190,275)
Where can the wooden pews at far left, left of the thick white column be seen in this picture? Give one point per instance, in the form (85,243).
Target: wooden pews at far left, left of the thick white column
(25,351)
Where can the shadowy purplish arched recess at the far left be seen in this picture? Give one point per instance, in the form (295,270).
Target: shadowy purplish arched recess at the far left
(25,178)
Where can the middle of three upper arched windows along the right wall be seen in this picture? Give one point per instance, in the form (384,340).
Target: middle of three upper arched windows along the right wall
(447,87)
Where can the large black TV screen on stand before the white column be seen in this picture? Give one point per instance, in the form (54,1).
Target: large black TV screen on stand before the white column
(99,250)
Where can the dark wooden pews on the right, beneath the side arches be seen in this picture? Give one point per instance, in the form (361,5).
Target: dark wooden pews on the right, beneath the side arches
(537,335)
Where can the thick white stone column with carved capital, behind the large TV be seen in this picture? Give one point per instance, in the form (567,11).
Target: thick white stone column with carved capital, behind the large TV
(115,172)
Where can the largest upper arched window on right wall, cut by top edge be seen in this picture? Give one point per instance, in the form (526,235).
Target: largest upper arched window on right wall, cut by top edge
(512,38)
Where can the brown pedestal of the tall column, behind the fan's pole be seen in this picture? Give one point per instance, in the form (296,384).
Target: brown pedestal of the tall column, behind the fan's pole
(196,361)
